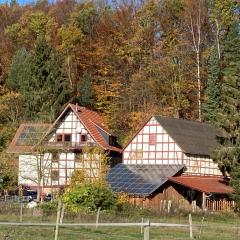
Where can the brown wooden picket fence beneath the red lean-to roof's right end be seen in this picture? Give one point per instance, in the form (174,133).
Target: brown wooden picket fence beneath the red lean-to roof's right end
(219,205)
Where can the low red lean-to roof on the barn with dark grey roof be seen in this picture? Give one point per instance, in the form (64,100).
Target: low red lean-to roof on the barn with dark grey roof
(204,184)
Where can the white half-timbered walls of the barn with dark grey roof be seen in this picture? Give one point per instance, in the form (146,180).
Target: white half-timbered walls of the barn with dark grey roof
(165,151)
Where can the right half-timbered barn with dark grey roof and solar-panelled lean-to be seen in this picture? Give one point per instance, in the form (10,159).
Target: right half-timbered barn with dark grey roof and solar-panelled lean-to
(168,159)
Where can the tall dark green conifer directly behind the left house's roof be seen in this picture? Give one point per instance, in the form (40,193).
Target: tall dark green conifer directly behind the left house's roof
(48,89)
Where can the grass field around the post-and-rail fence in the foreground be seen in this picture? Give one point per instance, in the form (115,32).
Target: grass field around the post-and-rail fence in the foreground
(220,227)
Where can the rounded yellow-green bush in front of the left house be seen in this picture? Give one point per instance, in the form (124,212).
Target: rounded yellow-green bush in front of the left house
(89,197)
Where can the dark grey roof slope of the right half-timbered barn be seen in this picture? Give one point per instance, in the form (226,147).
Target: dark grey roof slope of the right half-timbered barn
(192,137)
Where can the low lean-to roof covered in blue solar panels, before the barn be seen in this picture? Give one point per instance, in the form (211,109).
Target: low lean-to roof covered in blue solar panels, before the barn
(140,180)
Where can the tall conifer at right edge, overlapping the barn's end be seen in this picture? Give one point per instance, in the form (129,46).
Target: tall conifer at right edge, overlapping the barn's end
(228,154)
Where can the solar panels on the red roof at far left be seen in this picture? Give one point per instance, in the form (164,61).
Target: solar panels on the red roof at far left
(30,135)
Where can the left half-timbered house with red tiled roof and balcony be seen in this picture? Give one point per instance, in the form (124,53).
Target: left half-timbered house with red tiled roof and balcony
(49,153)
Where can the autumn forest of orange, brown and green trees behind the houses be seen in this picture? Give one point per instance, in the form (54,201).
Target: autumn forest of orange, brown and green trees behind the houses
(127,59)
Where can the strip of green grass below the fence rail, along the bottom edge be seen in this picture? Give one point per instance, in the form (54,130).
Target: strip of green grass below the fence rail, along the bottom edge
(106,233)
